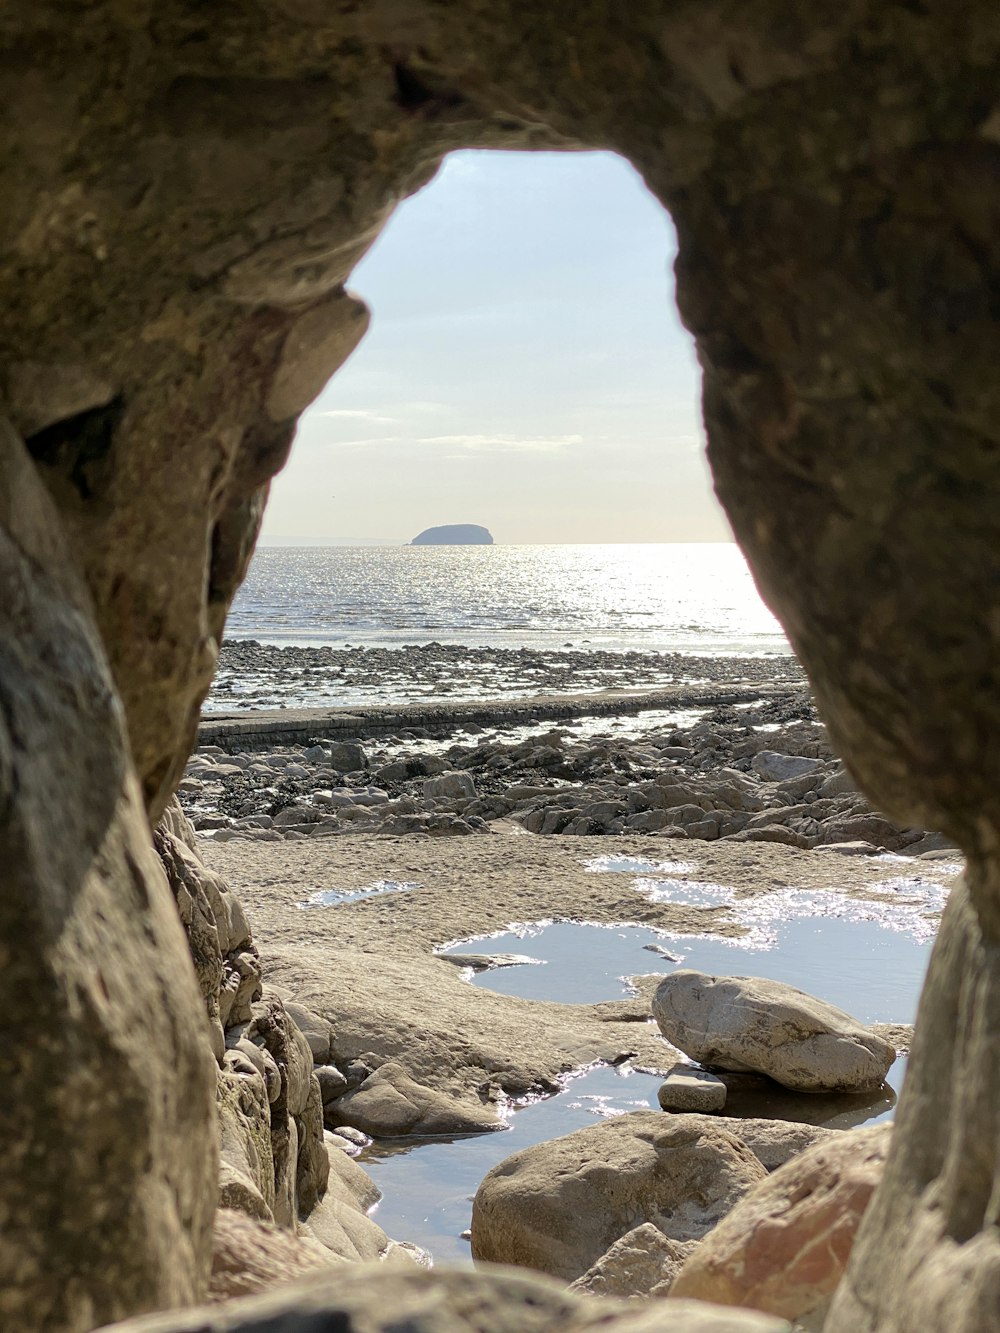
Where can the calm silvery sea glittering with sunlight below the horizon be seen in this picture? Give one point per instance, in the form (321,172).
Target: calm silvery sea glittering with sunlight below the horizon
(669,598)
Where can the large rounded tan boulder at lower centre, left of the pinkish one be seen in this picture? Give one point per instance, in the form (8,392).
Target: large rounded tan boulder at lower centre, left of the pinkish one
(559,1207)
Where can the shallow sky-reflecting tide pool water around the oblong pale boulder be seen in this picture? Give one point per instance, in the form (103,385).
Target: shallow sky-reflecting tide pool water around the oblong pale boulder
(866,958)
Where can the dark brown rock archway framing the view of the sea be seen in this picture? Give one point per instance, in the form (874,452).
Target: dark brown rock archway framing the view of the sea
(187,189)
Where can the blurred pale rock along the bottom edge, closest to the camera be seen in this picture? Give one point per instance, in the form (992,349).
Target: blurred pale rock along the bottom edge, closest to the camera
(375,1299)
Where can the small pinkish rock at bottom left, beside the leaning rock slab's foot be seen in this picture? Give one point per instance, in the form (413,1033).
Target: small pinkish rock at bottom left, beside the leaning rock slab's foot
(251,1256)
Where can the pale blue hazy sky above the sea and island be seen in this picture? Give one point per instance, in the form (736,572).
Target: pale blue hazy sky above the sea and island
(526,370)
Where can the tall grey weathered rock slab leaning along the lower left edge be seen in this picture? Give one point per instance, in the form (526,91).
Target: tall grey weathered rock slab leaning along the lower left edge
(110,1164)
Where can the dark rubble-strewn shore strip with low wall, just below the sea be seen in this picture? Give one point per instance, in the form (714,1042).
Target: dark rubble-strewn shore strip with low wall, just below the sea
(701,748)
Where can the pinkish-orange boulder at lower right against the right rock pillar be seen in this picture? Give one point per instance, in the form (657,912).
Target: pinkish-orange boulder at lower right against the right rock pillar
(786,1246)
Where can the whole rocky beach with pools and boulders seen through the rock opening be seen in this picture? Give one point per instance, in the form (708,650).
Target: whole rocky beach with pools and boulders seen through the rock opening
(475,910)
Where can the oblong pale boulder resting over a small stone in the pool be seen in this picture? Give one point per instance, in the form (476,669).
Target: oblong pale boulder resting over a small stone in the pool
(755,1026)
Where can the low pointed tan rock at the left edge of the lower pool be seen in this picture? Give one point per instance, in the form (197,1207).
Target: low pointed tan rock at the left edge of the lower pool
(390,1103)
